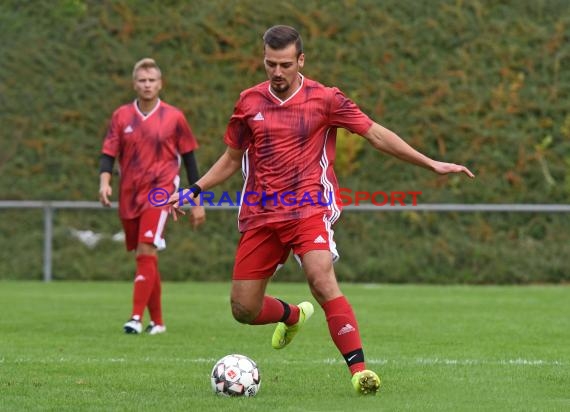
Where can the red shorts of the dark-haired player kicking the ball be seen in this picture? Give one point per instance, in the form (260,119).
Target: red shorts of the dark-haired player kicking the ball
(261,251)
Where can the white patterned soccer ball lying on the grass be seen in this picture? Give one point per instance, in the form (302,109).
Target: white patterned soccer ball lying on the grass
(235,375)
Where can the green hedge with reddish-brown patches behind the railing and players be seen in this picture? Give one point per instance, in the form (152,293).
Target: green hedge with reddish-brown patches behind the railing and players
(484,83)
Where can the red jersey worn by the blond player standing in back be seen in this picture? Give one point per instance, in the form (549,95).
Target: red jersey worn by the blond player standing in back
(148,149)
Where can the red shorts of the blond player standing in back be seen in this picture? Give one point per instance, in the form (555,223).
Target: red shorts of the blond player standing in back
(147,228)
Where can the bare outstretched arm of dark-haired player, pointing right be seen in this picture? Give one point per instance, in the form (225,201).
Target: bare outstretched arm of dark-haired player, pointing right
(390,143)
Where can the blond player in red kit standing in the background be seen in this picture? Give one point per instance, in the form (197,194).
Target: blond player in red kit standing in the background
(149,138)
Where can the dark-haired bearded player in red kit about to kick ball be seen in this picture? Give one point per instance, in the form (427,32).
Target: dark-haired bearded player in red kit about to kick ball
(282,134)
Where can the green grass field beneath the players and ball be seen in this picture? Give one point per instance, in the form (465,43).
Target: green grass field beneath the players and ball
(436,349)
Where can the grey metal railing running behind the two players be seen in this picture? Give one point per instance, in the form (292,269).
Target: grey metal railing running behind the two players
(49,206)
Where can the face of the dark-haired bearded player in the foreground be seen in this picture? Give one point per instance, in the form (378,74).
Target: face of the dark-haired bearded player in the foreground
(282,68)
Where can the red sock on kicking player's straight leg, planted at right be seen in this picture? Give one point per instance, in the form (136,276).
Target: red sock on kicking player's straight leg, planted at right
(344,332)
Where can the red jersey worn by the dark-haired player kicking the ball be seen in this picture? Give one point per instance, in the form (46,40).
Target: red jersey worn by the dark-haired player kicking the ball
(290,151)
